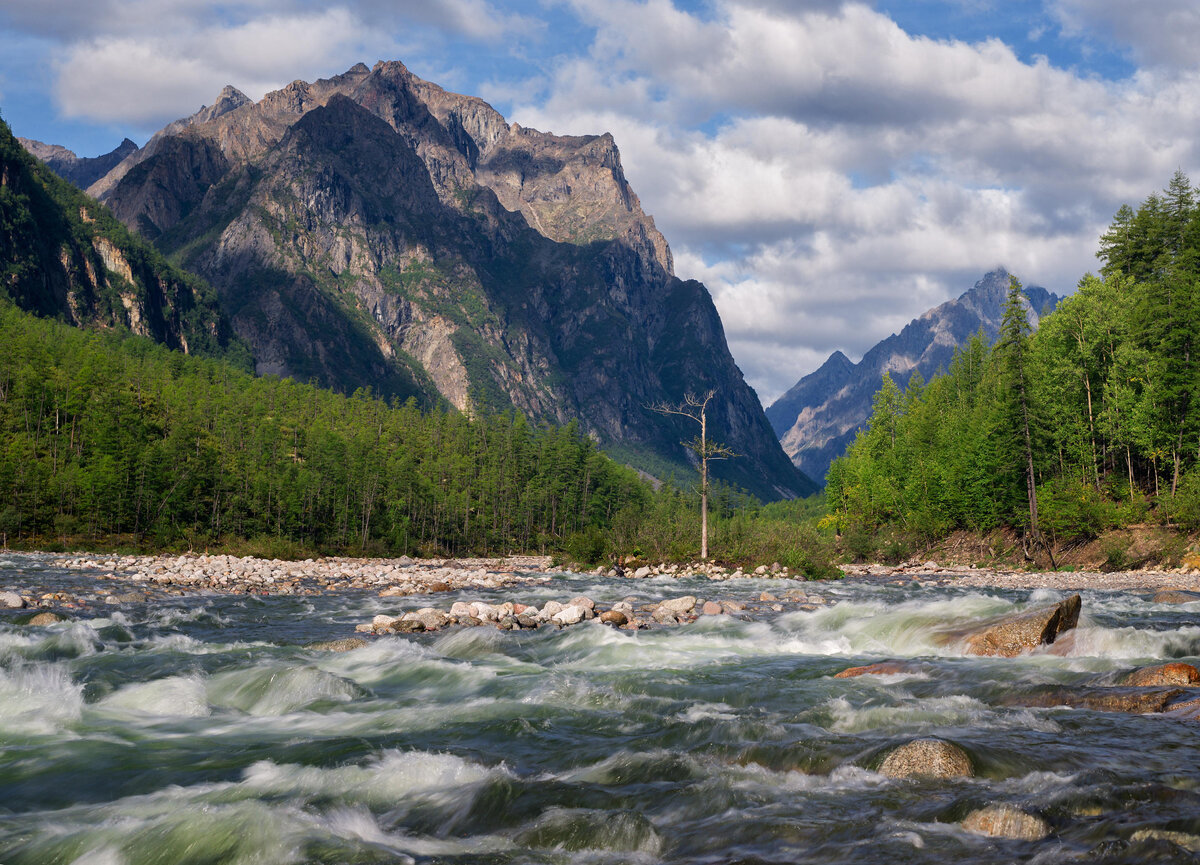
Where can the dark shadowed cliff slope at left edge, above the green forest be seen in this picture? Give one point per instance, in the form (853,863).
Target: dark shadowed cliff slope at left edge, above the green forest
(64,256)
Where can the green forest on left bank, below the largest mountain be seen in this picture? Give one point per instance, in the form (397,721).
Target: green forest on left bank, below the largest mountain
(109,436)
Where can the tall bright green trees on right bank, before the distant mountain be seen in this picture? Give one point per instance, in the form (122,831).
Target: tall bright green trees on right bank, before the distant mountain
(1097,413)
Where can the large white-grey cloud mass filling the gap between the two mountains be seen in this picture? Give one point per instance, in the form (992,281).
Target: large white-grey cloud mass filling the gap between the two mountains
(831,176)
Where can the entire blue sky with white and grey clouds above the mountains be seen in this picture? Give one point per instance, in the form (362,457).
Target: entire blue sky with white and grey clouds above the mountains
(829,170)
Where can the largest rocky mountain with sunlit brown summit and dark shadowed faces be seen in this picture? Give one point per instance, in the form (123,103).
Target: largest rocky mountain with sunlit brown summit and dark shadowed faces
(374,230)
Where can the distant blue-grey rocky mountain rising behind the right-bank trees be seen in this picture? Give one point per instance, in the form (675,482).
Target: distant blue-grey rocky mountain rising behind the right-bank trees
(820,416)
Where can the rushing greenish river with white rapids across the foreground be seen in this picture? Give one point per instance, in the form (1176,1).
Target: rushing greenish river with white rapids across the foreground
(201,730)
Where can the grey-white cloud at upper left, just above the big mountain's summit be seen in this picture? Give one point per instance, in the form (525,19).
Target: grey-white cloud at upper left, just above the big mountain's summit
(149,62)
